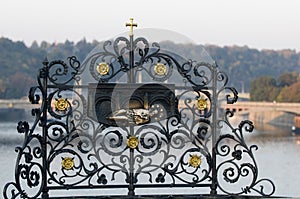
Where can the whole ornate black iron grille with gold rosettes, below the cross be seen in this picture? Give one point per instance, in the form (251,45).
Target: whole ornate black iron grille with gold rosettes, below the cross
(69,147)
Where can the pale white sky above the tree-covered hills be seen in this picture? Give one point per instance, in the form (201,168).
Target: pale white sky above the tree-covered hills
(261,24)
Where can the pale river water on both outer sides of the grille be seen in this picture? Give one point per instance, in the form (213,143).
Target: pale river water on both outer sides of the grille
(278,156)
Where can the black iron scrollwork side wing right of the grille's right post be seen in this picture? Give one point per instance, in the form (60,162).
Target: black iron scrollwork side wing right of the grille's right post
(237,166)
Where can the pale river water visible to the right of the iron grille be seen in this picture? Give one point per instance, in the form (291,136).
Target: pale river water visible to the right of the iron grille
(278,157)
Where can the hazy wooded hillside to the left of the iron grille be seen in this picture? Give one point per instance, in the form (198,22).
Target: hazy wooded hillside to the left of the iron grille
(19,64)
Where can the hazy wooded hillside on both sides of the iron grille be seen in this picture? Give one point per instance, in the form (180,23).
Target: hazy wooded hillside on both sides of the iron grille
(242,64)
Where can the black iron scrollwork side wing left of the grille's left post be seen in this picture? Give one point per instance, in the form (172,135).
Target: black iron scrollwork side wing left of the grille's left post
(29,166)
